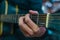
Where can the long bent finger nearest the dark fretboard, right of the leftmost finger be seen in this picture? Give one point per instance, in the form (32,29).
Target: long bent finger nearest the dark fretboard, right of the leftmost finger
(31,24)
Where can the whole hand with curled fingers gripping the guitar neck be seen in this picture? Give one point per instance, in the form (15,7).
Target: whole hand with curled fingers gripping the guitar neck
(29,28)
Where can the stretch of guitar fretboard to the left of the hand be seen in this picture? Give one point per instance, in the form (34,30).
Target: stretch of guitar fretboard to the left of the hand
(10,18)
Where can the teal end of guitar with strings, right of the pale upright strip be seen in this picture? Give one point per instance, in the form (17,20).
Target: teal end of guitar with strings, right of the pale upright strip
(54,23)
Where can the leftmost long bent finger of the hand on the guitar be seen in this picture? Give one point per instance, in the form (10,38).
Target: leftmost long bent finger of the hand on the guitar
(24,27)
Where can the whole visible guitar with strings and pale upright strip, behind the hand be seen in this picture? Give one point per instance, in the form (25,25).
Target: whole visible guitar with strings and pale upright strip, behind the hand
(51,21)
